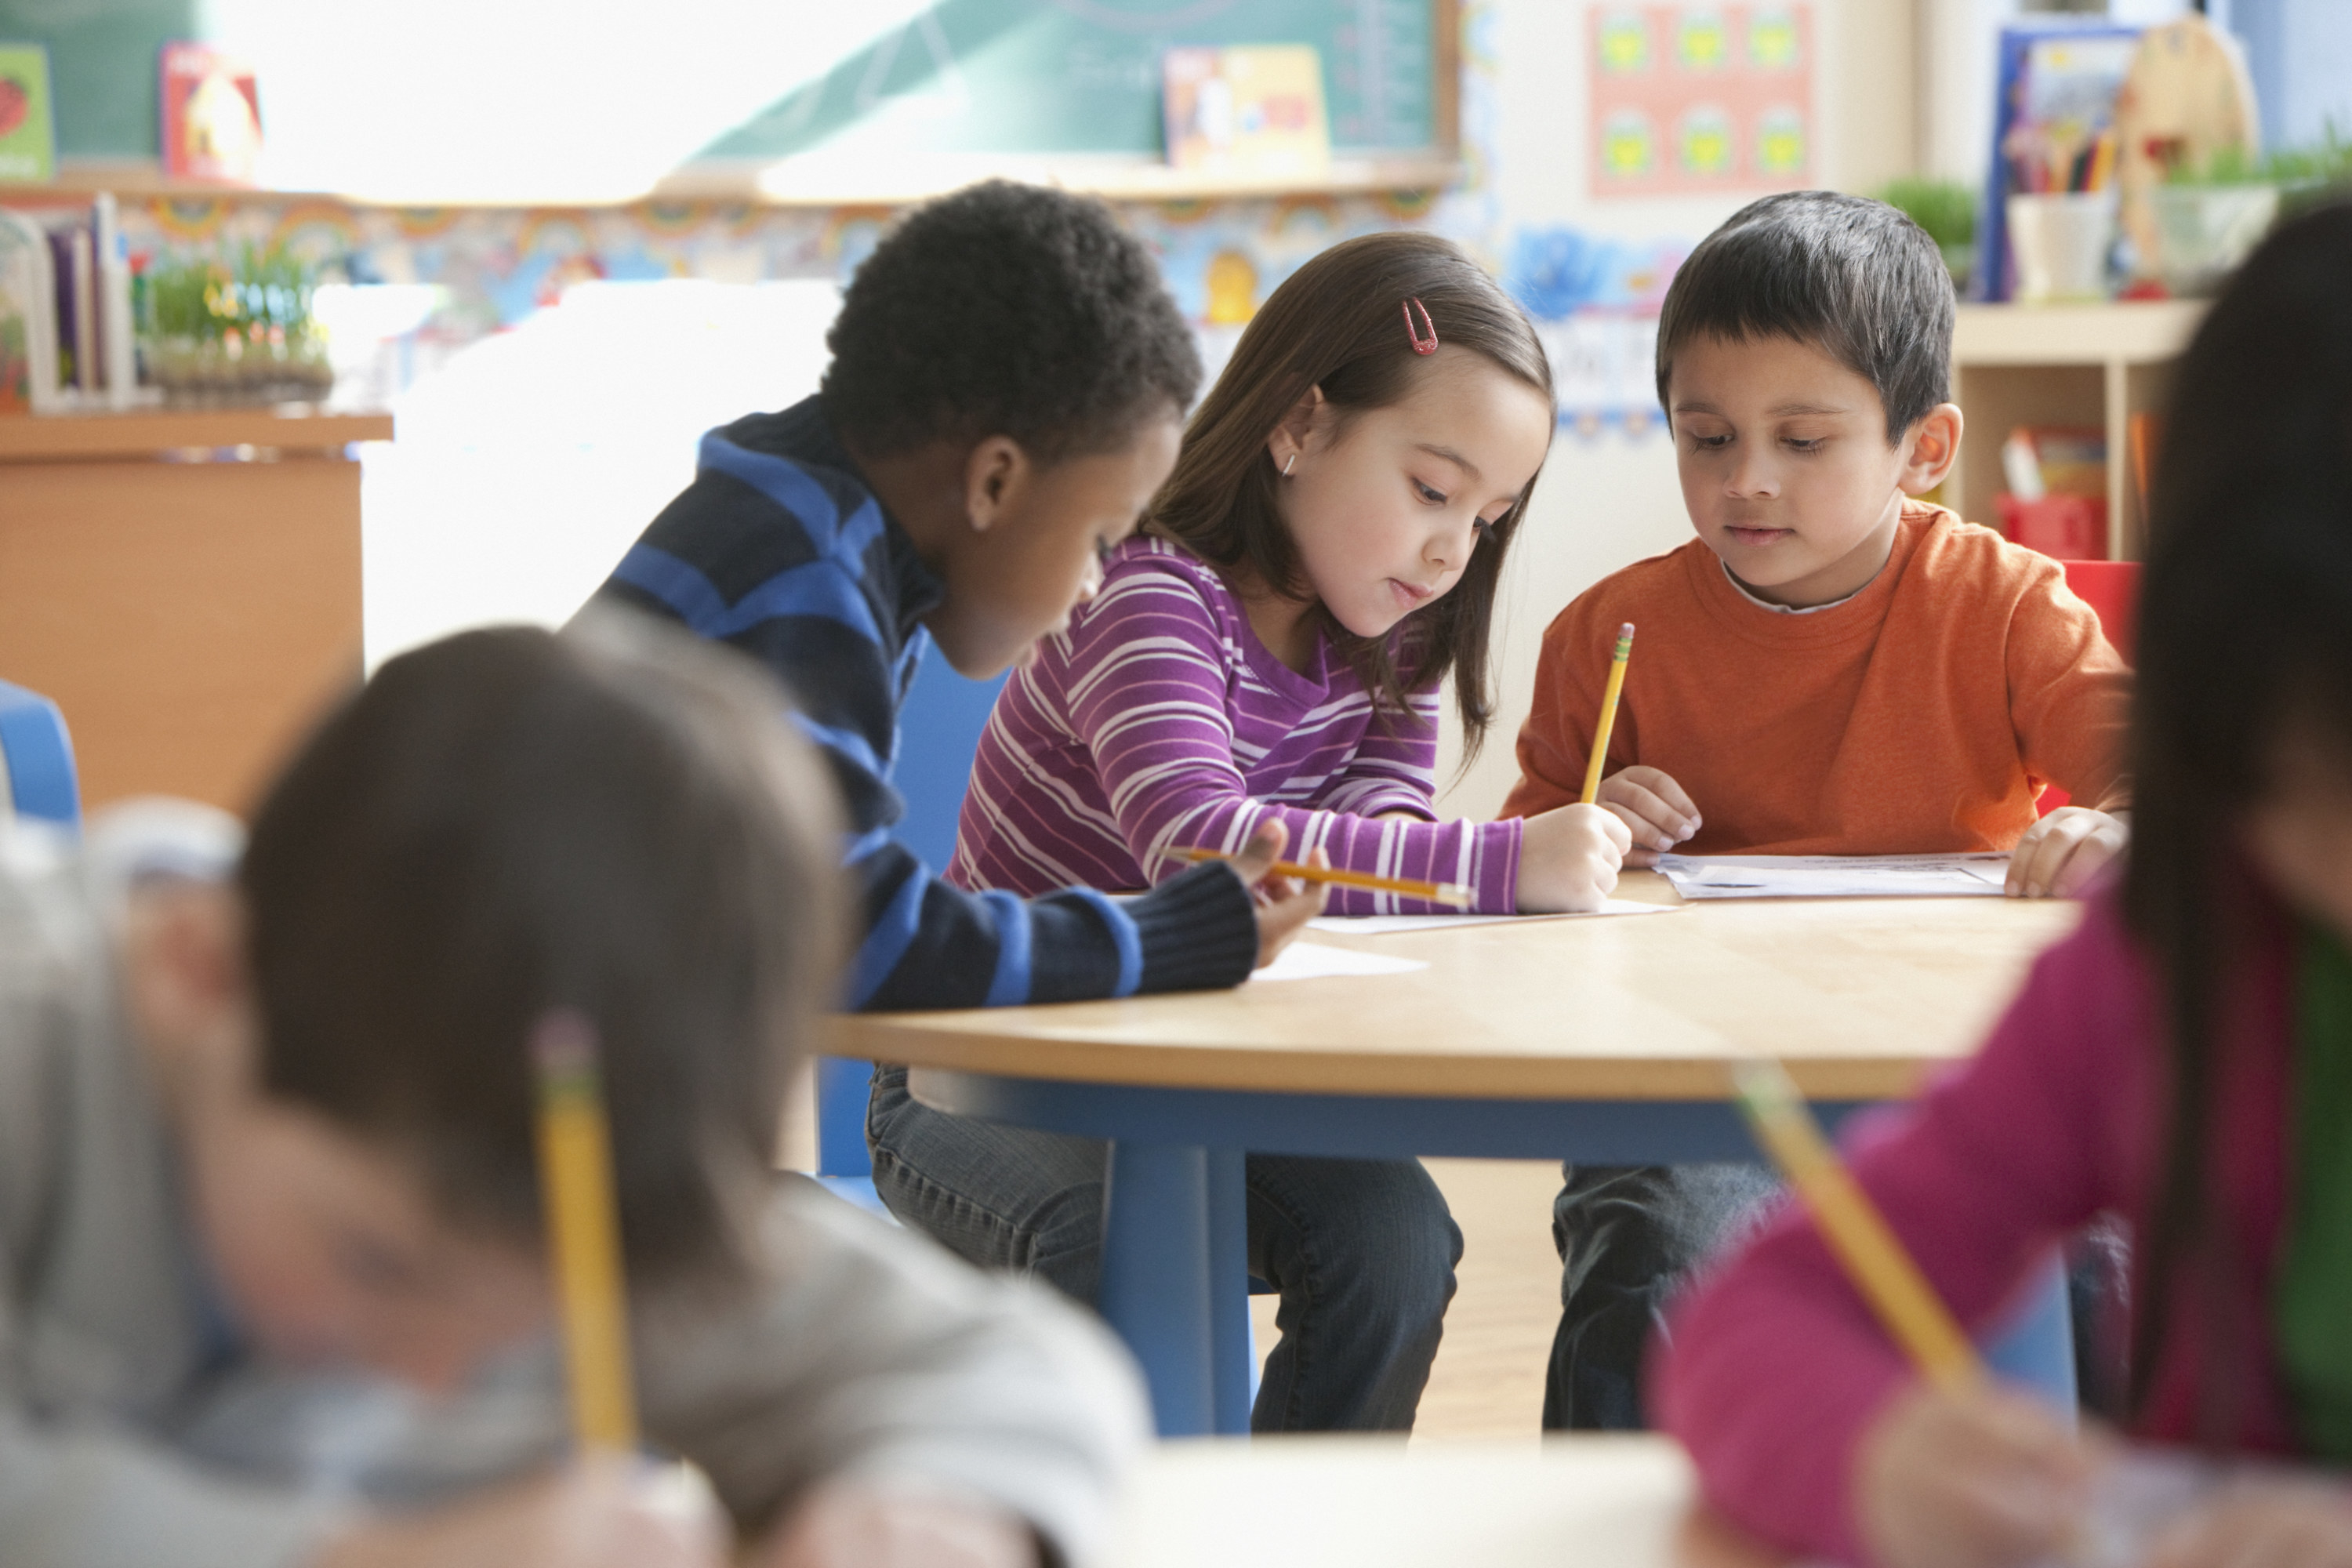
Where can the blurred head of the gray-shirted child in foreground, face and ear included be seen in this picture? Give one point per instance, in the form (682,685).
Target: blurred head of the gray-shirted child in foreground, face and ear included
(493,831)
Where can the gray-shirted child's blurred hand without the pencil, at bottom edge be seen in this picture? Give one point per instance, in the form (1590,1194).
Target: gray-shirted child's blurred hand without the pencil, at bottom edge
(850,1525)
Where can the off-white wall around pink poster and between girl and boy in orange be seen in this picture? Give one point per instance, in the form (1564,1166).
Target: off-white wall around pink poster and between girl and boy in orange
(1612,500)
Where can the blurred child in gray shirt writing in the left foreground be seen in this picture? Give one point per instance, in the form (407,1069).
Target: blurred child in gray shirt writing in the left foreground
(272,1280)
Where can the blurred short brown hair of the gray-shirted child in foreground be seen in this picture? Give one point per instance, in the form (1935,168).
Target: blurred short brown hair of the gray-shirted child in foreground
(507,824)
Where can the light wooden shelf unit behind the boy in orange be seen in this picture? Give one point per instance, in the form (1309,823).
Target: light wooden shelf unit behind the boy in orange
(2087,368)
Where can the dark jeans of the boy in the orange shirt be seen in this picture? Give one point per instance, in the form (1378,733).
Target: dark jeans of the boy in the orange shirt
(1629,1238)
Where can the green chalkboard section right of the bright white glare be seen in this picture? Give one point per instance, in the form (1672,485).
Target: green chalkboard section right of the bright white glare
(1083,76)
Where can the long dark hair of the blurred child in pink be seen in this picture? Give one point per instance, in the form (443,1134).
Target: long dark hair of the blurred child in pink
(2245,638)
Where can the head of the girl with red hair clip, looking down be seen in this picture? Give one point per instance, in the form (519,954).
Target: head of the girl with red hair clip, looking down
(1344,464)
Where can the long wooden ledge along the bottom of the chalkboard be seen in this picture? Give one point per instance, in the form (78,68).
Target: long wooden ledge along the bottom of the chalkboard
(808,185)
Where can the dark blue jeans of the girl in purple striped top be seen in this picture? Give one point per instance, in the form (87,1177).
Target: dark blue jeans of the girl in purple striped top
(1361,1249)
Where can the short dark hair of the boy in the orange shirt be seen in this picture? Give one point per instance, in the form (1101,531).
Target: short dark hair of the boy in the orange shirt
(1843,274)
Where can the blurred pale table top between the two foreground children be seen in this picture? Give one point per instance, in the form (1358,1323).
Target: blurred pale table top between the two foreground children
(1377,1503)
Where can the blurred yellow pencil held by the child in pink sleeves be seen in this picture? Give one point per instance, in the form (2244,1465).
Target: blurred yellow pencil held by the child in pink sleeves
(1857,1231)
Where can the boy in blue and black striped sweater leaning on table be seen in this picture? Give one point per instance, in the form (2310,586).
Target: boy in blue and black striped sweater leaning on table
(977,448)
